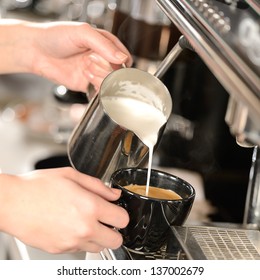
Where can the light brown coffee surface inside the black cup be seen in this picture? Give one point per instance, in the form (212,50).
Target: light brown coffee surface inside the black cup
(154,192)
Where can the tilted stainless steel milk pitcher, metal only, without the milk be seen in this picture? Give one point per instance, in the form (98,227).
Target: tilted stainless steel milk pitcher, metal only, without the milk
(99,146)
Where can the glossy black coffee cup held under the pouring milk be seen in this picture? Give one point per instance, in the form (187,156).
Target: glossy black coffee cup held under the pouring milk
(151,218)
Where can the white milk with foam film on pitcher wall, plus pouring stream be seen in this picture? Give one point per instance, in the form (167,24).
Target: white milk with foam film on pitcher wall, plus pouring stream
(139,110)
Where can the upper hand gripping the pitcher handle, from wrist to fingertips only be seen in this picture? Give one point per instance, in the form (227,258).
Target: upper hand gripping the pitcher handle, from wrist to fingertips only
(75,54)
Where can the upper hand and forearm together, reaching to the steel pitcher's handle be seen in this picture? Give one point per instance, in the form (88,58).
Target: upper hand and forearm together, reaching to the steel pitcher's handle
(72,54)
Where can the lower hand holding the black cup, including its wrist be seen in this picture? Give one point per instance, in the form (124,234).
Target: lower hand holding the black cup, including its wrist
(62,210)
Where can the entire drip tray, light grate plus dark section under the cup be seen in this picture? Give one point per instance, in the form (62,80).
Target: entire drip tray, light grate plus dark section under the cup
(222,242)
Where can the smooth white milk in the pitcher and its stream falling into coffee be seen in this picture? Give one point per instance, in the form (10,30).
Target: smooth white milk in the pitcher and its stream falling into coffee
(142,118)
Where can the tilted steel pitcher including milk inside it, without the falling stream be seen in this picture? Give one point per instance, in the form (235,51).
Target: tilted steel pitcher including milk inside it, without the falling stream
(108,136)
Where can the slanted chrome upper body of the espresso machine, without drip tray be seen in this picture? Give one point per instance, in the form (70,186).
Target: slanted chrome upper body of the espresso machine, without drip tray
(225,34)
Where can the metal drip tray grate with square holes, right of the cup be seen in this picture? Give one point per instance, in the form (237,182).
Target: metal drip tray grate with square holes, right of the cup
(213,243)
